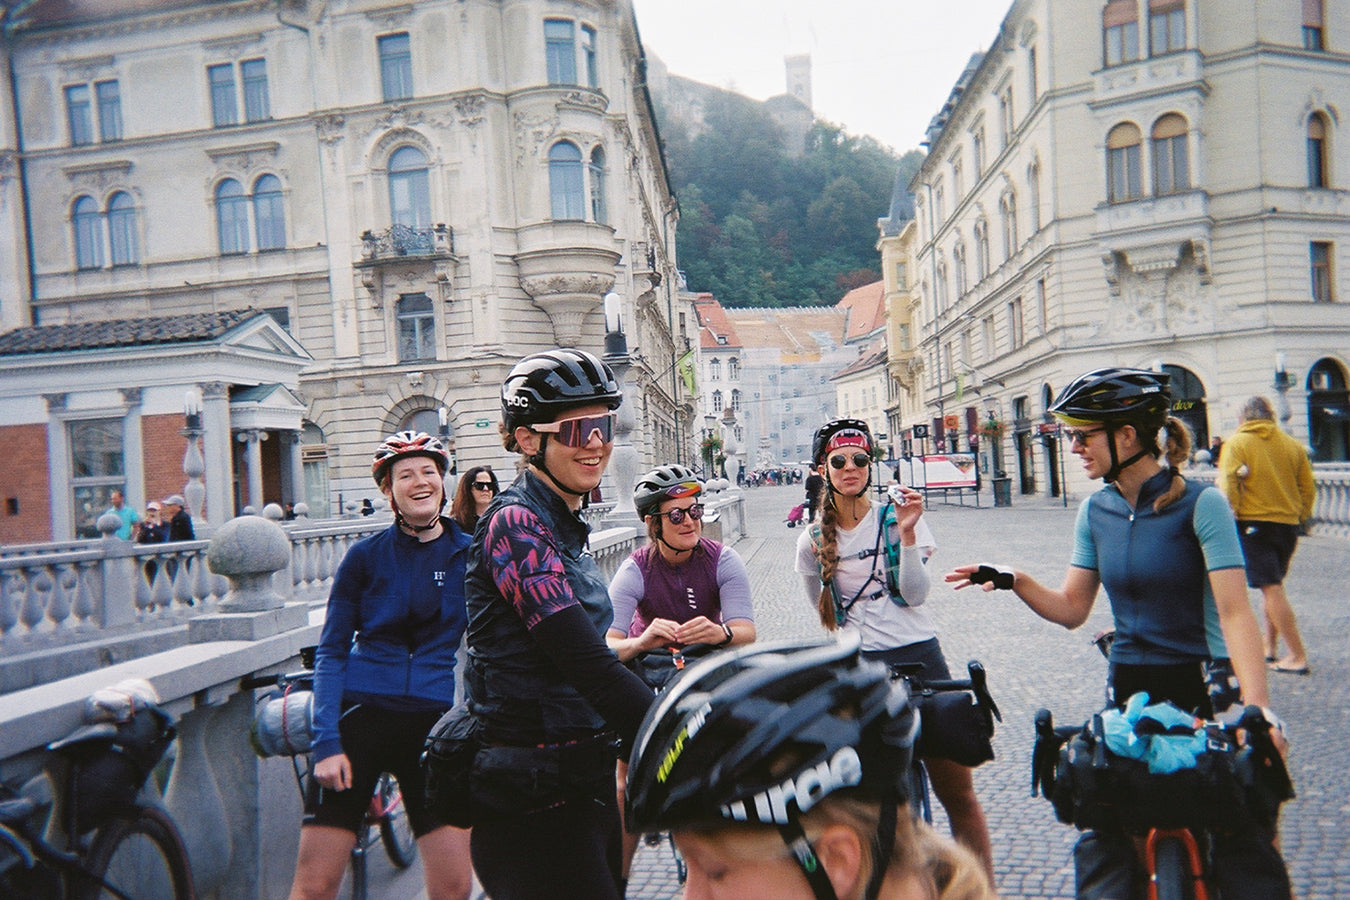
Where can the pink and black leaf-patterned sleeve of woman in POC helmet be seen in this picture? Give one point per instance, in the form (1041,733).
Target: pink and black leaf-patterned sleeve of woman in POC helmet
(526,565)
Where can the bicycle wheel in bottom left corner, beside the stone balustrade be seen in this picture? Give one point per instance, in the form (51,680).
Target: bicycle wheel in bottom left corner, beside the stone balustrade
(141,857)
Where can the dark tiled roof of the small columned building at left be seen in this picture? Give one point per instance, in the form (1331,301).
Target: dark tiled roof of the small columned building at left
(124,333)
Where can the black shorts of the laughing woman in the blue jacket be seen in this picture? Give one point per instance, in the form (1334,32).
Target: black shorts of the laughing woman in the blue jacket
(379,741)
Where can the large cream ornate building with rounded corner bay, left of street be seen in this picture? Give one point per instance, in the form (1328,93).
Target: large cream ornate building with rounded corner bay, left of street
(419,194)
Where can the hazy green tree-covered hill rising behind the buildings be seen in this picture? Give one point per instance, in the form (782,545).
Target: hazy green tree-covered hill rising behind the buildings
(766,222)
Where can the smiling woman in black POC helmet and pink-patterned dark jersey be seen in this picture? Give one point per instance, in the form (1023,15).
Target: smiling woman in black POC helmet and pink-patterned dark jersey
(553,700)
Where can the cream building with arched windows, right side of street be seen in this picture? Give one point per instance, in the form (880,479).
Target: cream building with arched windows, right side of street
(1132,183)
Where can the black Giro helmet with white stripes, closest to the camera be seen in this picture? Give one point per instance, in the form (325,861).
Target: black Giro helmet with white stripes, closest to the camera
(763,733)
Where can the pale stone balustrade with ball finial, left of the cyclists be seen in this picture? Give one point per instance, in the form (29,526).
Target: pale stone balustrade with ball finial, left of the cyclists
(238,814)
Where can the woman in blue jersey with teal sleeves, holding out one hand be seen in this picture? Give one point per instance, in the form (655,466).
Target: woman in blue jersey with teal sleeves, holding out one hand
(1168,555)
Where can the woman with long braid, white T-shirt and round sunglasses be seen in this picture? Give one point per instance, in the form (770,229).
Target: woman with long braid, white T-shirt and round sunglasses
(863,567)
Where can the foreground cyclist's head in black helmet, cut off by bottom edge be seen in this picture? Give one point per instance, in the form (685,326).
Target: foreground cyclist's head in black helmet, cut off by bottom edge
(797,744)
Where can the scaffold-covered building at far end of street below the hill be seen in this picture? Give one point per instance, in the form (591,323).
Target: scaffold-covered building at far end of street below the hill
(789,357)
